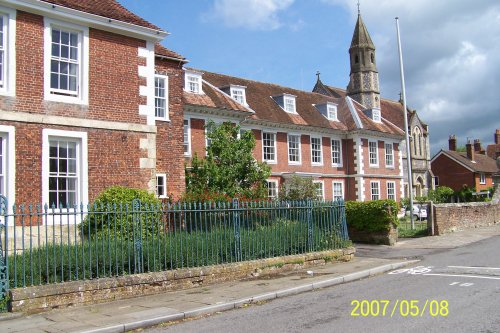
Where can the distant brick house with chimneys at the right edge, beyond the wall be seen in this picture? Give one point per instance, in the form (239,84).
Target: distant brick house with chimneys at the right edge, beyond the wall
(456,169)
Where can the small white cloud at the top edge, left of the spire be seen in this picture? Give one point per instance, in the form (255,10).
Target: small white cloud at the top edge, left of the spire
(249,14)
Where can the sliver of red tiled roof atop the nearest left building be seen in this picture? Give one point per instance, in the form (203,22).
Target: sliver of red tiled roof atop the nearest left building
(106,8)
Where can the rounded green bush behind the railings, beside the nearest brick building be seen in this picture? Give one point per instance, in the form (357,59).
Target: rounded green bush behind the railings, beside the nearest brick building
(113,215)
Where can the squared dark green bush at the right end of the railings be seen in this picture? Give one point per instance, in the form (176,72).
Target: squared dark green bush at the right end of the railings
(372,216)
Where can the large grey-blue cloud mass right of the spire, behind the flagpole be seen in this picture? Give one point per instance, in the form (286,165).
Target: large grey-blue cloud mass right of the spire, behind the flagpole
(450,51)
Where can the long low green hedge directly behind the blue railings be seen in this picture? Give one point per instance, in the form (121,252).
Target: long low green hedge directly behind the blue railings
(108,257)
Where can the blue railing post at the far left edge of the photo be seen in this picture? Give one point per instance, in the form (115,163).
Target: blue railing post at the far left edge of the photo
(4,257)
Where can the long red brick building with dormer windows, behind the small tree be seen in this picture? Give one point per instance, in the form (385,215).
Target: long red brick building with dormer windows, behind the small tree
(348,151)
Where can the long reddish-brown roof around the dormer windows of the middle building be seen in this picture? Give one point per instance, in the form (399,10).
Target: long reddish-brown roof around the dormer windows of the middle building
(259,99)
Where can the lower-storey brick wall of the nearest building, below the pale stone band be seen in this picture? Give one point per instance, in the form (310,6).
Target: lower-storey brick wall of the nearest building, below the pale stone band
(113,159)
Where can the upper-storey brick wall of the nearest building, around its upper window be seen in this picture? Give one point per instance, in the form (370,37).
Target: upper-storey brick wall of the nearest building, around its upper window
(113,83)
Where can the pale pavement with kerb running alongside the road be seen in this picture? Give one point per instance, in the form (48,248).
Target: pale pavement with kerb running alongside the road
(146,311)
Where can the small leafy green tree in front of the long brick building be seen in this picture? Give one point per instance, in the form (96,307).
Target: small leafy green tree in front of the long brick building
(229,168)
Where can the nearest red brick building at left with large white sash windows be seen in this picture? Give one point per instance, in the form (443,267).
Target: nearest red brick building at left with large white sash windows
(87,100)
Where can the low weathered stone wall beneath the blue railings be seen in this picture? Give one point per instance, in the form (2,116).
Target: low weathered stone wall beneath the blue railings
(39,298)
